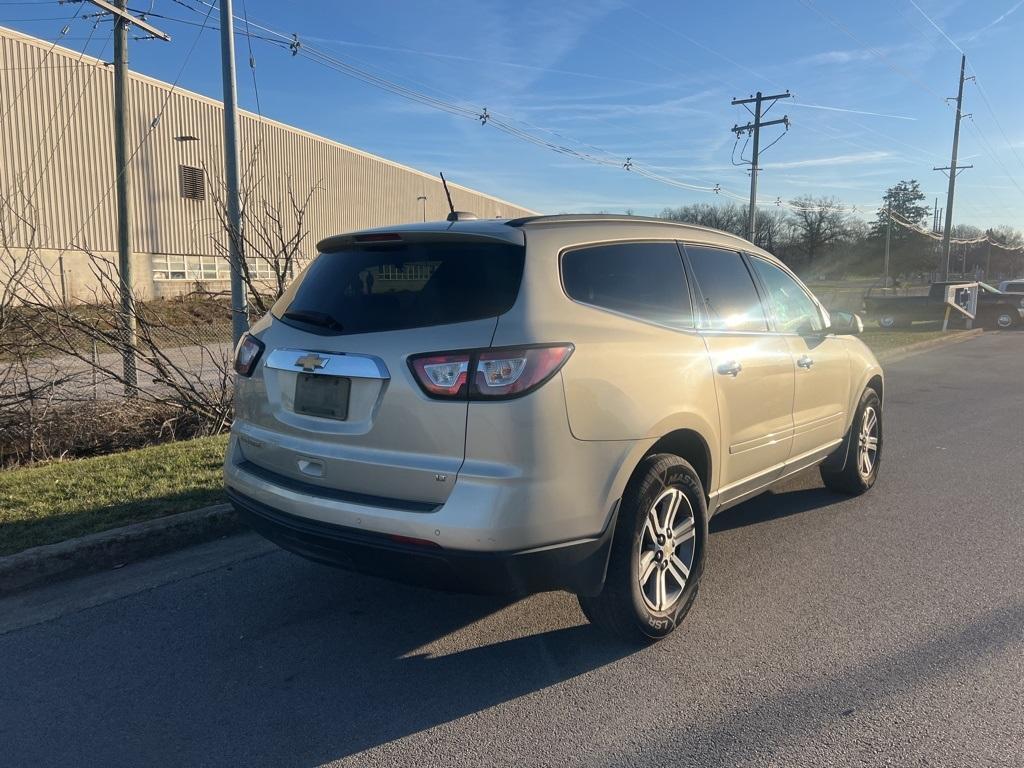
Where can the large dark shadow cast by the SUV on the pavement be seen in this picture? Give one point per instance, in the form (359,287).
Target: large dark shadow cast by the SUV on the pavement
(283,662)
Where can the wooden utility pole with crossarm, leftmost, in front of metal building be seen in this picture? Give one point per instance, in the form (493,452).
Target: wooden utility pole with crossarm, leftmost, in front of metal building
(122,22)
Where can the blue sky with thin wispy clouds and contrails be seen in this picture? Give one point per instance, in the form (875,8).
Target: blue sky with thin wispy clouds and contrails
(646,80)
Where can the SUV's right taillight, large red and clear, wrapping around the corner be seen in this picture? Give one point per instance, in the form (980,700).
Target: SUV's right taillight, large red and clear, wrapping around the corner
(489,374)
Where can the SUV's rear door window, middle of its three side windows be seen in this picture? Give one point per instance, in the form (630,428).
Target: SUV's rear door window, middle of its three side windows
(727,290)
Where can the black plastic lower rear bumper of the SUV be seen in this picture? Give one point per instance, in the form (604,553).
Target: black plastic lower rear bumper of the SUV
(577,567)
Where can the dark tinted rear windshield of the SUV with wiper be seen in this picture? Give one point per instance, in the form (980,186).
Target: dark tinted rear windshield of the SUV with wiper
(396,286)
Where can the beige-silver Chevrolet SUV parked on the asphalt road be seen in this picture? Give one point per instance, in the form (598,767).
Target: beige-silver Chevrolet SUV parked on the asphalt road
(552,403)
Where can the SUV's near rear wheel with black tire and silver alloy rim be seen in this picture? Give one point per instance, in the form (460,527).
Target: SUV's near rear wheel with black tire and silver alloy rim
(645,614)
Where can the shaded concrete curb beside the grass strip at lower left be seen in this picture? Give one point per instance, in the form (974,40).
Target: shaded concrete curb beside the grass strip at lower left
(112,549)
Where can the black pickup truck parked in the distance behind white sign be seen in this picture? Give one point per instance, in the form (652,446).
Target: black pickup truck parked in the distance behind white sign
(996,310)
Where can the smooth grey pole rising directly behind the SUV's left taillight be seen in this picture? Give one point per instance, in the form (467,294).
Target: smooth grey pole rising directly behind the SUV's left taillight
(240,304)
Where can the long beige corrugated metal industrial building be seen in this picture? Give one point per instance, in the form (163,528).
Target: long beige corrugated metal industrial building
(58,175)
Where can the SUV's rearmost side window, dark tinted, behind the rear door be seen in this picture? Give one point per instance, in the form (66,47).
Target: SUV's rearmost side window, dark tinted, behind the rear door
(644,280)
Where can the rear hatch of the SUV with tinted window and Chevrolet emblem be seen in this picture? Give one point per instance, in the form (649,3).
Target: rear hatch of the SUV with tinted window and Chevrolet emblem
(335,404)
